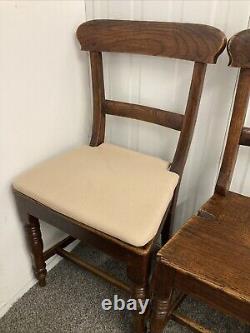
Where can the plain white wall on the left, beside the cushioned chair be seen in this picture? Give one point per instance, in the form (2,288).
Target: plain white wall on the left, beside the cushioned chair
(44,110)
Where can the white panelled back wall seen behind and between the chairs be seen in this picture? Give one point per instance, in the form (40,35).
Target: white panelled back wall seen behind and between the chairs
(164,83)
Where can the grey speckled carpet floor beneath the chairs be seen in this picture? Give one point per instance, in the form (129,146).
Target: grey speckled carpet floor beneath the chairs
(71,302)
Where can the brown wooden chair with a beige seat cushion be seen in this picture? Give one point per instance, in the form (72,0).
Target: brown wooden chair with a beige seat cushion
(113,198)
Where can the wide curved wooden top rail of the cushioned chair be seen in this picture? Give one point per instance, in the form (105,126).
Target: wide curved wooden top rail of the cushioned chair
(195,42)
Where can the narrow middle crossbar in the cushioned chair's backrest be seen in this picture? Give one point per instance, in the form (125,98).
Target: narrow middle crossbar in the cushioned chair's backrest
(145,113)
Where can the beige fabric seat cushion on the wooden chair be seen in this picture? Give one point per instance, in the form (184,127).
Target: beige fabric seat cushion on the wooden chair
(120,192)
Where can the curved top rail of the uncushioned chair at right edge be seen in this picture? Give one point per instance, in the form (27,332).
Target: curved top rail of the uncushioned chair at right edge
(239,49)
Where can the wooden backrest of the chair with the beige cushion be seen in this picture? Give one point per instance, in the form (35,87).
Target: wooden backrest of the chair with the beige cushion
(199,43)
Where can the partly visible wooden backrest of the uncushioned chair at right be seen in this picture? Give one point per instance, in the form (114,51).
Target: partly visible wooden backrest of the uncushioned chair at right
(239,54)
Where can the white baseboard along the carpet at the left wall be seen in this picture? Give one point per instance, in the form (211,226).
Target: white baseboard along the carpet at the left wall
(50,263)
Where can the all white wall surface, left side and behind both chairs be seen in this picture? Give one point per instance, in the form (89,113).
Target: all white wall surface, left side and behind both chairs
(44,104)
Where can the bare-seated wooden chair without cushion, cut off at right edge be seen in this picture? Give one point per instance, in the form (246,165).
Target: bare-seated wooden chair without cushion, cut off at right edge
(209,257)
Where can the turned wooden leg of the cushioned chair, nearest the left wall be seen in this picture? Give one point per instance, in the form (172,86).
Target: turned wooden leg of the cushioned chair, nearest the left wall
(36,244)
